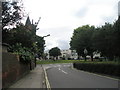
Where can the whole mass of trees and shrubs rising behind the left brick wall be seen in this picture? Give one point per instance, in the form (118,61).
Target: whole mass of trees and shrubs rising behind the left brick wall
(21,38)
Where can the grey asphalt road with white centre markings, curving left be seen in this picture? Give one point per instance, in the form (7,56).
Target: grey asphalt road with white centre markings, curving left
(63,76)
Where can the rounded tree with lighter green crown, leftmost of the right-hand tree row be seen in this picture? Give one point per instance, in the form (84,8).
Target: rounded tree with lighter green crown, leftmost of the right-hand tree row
(82,39)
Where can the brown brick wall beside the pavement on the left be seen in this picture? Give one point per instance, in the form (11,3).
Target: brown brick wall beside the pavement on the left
(12,69)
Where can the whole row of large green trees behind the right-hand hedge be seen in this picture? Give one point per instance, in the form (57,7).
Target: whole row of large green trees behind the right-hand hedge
(104,39)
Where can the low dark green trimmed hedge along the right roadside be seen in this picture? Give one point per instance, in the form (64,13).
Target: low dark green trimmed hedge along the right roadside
(103,68)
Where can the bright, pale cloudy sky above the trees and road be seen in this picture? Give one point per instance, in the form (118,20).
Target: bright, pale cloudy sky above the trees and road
(59,18)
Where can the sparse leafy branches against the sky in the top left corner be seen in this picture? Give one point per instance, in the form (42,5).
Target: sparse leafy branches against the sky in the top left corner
(12,13)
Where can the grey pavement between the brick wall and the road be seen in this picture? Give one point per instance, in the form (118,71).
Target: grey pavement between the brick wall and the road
(35,79)
